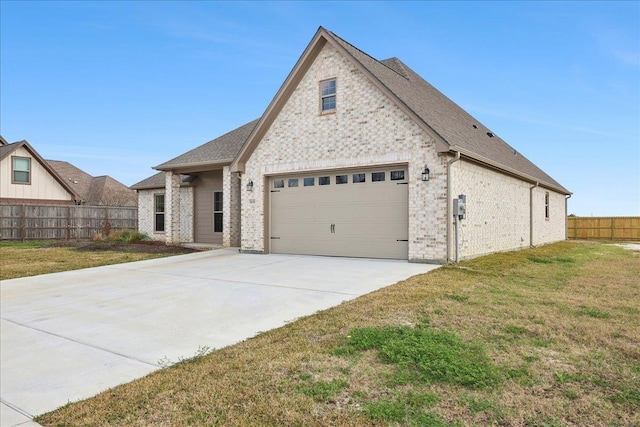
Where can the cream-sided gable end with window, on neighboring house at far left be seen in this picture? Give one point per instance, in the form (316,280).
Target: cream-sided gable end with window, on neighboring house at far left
(25,177)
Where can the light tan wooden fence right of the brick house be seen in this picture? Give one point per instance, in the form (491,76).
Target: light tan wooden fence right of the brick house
(603,228)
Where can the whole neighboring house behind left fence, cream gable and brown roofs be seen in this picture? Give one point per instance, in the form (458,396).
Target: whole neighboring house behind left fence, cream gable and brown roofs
(25,177)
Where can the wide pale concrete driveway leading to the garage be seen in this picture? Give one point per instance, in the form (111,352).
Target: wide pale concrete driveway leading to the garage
(68,336)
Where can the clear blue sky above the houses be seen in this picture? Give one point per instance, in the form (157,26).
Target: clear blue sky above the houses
(117,87)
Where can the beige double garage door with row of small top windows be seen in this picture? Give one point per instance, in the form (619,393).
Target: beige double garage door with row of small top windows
(361,213)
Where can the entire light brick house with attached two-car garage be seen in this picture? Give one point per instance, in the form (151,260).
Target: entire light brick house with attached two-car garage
(356,157)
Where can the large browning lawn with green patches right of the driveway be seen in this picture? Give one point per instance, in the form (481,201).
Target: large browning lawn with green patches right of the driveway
(554,358)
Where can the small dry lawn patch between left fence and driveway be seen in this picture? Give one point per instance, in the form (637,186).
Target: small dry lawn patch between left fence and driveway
(19,259)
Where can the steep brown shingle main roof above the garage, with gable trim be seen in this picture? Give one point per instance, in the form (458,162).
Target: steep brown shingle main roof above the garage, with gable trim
(453,128)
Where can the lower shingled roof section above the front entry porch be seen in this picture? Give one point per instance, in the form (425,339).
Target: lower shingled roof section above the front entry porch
(217,151)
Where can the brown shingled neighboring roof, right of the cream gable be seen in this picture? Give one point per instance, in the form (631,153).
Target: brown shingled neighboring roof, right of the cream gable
(95,191)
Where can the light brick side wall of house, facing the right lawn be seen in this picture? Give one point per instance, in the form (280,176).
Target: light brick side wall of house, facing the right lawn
(499,212)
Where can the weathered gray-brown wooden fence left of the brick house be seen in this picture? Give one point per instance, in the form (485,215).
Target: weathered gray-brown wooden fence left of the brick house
(64,222)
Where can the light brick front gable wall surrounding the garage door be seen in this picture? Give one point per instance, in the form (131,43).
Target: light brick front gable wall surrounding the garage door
(367,129)
